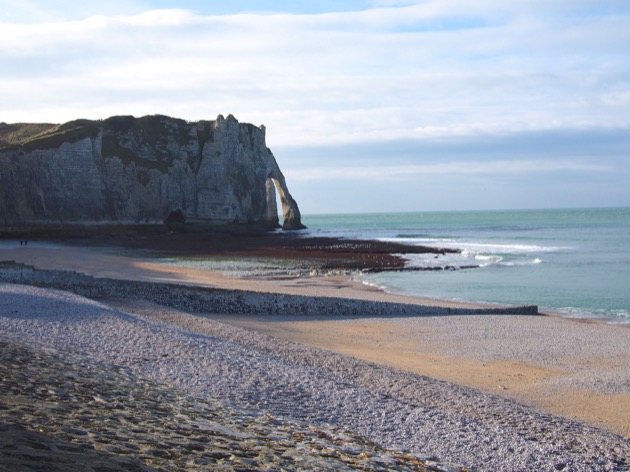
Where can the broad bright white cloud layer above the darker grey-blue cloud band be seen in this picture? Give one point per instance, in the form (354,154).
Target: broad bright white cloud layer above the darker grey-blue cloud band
(423,69)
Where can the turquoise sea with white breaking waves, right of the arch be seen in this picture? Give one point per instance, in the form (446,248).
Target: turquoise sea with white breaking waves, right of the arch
(574,262)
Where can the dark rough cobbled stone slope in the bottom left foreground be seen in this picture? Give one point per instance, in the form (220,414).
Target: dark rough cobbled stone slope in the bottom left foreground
(66,412)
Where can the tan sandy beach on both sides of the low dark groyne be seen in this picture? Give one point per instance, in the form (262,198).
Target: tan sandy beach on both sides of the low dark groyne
(576,369)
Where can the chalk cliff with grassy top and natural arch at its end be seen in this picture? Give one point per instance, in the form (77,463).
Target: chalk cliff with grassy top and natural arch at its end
(148,171)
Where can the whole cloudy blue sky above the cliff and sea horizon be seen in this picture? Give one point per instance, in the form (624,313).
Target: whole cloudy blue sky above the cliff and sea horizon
(369,105)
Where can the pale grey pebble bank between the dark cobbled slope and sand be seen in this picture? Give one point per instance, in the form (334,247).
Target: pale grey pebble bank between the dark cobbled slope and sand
(207,359)
